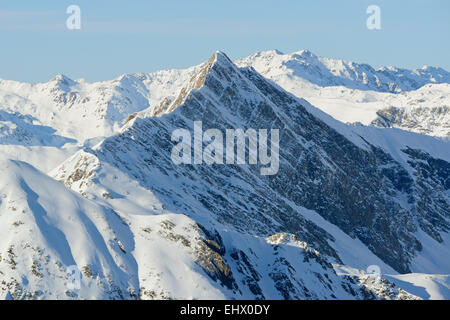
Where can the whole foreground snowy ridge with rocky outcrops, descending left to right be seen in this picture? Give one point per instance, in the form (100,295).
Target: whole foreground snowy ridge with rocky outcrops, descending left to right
(127,256)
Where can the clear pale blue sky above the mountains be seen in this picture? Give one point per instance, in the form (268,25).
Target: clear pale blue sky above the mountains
(119,37)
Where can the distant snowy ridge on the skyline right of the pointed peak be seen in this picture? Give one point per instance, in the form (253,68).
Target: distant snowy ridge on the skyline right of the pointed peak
(326,72)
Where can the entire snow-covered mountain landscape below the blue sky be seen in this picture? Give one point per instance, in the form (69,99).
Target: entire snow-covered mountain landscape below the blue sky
(88,181)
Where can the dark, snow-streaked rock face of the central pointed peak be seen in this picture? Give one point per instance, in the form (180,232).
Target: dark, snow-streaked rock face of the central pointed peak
(360,188)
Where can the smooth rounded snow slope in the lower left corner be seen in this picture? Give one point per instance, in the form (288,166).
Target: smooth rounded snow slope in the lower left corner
(46,228)
